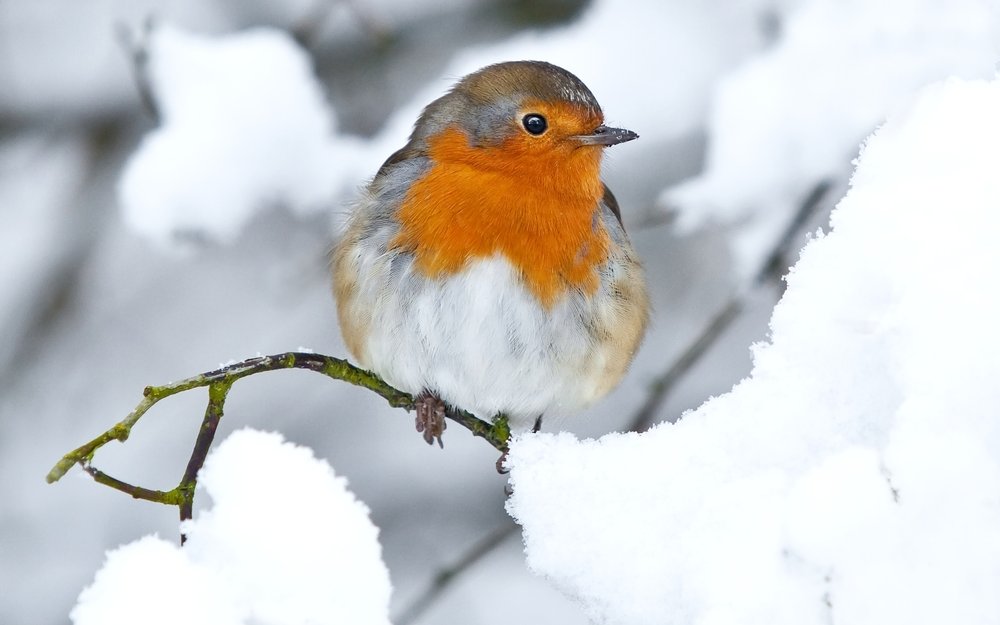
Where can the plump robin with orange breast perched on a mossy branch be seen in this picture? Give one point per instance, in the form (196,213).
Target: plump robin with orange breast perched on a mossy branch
(486,266)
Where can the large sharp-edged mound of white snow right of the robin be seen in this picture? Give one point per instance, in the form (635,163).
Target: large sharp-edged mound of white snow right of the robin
(854,476)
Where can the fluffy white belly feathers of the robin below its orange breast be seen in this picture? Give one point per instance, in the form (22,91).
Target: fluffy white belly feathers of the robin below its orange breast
(483,343)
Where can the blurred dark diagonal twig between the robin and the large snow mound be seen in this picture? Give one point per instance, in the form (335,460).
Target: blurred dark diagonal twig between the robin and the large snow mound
(773,267)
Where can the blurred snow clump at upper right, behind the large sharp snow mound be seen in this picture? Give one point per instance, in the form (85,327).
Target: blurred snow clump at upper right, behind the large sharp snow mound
(793,115)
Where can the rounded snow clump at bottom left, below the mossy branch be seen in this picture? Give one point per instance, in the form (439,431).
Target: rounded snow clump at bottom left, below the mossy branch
(284,543)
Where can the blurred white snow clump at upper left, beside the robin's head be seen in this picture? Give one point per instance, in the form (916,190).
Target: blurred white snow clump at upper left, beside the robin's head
(244,125)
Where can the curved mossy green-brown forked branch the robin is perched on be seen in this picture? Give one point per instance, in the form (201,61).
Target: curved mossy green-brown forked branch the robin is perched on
(219,383)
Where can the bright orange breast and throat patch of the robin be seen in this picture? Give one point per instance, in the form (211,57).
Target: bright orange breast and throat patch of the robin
(535,203)
